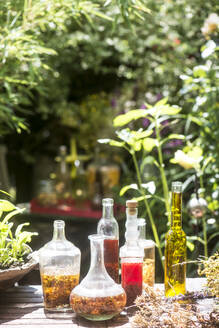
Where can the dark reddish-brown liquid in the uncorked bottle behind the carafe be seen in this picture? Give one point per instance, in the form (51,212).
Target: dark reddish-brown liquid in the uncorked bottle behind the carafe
(111,258)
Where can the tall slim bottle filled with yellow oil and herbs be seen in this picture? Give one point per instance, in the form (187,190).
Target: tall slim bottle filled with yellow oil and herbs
(175,247)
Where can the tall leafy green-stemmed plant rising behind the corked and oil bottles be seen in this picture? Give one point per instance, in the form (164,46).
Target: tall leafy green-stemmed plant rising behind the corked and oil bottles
(136,141)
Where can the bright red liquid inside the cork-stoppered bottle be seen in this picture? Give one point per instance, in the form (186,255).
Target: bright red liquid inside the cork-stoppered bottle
(132,280)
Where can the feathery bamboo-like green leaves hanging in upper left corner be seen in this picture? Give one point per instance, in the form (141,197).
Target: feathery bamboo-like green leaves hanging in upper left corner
(31,33)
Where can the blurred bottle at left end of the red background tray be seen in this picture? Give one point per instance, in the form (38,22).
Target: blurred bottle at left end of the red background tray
(62,175)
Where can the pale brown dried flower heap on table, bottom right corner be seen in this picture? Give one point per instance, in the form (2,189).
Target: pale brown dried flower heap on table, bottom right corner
(156,311)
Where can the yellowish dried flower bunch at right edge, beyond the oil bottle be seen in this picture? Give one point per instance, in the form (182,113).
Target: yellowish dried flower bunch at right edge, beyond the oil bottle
(210,268)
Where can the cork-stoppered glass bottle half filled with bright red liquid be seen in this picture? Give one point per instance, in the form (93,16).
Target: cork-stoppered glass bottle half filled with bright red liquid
(131,255)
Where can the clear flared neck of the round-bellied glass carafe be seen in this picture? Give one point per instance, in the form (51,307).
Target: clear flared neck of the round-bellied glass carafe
(97,255)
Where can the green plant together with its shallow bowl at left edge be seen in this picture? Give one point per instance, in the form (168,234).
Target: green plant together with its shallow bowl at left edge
(16,256)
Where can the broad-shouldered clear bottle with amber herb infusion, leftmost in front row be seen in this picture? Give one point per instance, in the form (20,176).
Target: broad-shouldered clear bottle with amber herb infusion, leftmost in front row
(59,263)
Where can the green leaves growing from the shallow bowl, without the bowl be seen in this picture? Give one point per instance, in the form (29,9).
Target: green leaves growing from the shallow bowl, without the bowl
(13,247)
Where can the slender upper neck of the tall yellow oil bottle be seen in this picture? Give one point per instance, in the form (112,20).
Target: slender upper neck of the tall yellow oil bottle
(176,210)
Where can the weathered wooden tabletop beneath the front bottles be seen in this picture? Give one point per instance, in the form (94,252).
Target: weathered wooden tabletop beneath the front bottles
(22,306)
